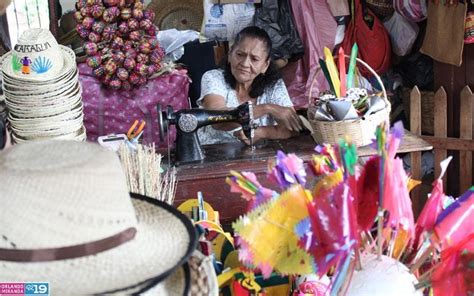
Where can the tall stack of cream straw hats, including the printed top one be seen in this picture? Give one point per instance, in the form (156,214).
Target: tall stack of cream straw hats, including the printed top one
(42,90)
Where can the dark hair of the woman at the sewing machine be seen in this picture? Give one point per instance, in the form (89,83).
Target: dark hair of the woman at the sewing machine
(262,81)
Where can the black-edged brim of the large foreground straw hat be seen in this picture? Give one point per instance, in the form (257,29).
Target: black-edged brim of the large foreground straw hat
(165,239)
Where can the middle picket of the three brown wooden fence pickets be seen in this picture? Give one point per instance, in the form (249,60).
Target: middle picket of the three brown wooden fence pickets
(440,128)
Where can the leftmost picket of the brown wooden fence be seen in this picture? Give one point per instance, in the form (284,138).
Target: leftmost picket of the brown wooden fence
(415,157)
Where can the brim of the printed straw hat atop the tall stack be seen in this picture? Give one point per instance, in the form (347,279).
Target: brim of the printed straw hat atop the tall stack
(69,63)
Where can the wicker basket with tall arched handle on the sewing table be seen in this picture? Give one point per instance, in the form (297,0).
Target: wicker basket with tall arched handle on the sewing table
(361,131)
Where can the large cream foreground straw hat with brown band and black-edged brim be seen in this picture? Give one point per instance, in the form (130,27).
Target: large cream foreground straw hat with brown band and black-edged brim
(73,224)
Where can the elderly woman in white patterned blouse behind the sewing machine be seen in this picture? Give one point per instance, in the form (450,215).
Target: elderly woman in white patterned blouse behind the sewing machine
(248,75)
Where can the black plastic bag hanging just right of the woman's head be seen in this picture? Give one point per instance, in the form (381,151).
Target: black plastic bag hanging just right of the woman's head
(276,18)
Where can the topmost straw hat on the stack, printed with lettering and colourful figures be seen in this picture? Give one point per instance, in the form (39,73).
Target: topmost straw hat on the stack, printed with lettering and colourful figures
(37,57)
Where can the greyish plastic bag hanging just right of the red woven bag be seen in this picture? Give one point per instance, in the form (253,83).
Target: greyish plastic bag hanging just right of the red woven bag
(402,32)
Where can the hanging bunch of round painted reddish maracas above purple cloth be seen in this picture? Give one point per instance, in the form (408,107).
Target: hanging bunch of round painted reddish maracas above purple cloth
(119,40)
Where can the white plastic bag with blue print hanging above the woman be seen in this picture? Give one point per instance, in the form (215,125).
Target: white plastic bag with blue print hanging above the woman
(223,22)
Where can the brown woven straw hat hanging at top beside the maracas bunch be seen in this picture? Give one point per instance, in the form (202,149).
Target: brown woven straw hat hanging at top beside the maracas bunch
(181,15)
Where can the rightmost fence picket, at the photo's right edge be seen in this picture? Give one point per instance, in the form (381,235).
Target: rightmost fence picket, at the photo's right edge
(466,128)
